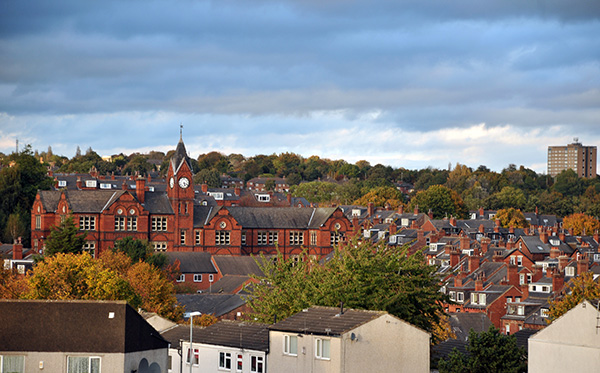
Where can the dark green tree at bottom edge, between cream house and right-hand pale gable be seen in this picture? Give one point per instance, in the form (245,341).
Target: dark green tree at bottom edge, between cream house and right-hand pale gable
(487,352)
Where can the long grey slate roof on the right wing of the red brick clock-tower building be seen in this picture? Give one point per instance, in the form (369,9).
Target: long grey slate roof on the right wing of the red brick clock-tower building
(280,217)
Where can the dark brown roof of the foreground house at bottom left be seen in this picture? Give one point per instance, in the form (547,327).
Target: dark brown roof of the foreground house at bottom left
(75,326)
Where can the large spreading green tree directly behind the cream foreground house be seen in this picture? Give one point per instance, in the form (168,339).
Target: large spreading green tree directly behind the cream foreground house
(361,275)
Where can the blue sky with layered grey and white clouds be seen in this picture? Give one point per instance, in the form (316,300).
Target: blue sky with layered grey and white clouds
(411,84)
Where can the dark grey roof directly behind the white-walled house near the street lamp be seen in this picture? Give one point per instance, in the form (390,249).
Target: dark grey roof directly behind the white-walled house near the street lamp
(212,304)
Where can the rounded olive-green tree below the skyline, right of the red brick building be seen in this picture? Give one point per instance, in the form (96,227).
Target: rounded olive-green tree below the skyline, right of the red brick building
(441,201)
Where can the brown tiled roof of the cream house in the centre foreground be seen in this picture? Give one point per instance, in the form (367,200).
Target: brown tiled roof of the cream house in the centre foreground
(325,321)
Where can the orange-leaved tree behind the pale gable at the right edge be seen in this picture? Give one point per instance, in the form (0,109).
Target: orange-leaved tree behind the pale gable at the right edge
(579,288)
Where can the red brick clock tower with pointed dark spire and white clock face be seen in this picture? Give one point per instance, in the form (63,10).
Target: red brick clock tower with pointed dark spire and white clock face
(180,191)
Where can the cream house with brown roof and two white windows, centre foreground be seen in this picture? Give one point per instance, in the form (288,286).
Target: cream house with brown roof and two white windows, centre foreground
(324,339)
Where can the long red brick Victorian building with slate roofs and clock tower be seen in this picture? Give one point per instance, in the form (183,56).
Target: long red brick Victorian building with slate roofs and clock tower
(177,221)
